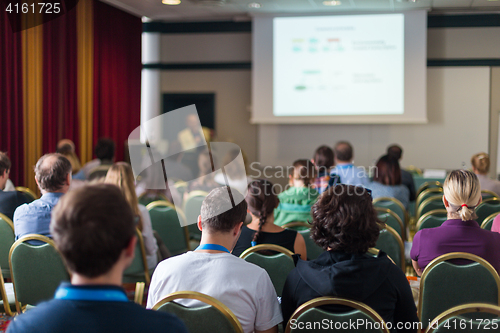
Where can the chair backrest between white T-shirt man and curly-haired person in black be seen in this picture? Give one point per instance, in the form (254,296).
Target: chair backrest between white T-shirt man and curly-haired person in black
(277,265)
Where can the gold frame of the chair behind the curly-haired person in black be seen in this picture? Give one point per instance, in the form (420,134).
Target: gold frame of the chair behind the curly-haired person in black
(328,300)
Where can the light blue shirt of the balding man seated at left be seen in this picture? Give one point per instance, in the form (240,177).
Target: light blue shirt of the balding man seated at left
(34,218)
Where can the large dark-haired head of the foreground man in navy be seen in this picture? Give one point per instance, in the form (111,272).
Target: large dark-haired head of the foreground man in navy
(91,225)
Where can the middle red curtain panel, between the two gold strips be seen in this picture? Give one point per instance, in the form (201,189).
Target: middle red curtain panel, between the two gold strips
(60,108)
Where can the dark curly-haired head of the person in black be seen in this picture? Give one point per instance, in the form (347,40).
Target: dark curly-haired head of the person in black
(344,220)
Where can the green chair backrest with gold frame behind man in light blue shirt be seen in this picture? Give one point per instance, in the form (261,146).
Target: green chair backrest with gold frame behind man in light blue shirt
(36,270)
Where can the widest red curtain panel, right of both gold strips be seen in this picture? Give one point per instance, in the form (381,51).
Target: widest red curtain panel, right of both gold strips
(117,74)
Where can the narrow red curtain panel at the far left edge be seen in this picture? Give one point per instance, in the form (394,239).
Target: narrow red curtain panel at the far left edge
(11,98)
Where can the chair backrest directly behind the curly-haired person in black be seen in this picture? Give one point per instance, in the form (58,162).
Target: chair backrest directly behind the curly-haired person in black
(309,312)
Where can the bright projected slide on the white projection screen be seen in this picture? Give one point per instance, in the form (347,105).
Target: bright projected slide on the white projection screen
(339,65)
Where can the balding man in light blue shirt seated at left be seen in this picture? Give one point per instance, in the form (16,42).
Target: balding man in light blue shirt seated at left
(53,177)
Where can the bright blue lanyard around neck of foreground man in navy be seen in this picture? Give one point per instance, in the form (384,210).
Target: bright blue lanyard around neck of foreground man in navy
(76,294)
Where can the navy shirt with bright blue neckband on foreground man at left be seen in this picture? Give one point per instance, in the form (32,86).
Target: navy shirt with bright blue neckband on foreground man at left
(91,313)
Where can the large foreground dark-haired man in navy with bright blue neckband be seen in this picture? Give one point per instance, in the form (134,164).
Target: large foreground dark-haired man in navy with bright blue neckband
(94,230)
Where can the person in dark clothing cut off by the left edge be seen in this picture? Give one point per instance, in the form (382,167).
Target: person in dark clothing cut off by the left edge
(9,200)
